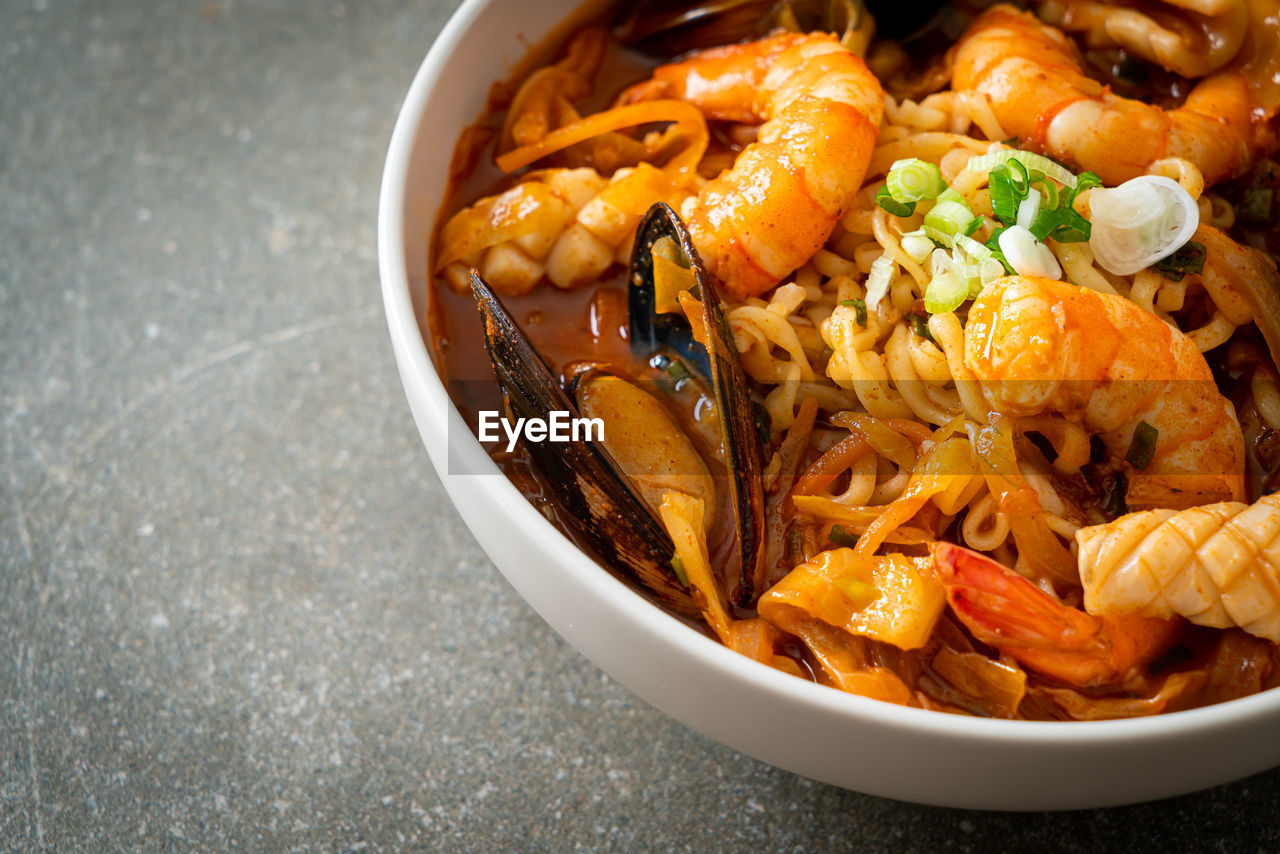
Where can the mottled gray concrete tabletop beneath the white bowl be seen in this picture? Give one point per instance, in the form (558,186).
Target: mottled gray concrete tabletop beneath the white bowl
(236,608)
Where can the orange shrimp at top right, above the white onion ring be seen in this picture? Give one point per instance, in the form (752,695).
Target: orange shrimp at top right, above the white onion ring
(1039,92)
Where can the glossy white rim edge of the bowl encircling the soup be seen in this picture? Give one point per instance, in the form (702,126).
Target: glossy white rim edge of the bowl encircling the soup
(418,371)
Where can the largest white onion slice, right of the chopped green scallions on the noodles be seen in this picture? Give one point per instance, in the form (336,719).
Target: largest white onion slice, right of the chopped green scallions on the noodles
(1141,222)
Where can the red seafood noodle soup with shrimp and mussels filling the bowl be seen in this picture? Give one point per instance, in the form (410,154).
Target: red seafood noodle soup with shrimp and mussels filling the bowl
(930,358)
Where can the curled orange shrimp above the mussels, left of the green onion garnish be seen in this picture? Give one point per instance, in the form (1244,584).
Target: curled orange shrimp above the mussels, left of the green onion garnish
(821,111)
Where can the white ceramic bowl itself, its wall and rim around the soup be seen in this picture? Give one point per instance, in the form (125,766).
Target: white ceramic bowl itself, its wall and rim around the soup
(816,732)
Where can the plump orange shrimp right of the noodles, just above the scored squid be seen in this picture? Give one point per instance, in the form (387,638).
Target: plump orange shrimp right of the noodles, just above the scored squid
(1043,346)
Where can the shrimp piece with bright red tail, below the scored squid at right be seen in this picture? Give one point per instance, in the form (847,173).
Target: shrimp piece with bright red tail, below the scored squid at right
(1007,611)
